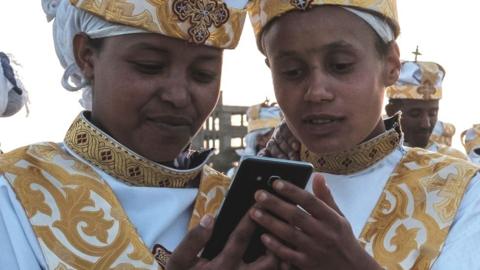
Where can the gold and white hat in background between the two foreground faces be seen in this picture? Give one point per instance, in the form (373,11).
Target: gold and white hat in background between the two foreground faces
(263,116)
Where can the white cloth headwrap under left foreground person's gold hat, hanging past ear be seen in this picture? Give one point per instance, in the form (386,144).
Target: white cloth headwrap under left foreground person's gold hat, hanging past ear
(70,21)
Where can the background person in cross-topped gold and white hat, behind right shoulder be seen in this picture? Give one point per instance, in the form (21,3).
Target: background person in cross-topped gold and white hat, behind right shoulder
(417,94)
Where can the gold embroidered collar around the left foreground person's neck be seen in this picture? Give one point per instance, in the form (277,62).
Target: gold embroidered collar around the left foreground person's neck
(105,153)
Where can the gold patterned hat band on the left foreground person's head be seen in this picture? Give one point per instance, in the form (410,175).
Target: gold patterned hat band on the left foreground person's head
(209,22)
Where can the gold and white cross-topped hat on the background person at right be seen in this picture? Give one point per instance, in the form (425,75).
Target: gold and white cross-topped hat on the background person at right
(418,80)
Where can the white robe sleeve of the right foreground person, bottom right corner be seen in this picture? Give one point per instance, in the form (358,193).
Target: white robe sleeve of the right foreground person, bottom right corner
(461,246)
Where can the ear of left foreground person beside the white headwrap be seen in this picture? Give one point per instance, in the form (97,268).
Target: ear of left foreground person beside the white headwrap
(83,53)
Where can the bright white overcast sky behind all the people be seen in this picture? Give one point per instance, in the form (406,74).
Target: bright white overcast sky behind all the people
(446,31)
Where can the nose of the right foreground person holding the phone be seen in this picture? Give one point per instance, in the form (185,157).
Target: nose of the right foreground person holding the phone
(318,88)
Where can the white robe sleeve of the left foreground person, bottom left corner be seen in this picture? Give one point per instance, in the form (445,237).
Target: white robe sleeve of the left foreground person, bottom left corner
(19,248)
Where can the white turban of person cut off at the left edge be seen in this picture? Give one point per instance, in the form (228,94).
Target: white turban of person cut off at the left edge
(12,92)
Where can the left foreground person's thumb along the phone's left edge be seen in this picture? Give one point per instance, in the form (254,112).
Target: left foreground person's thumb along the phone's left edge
(185,255)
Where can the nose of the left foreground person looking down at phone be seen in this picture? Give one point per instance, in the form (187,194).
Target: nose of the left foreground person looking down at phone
(175,90)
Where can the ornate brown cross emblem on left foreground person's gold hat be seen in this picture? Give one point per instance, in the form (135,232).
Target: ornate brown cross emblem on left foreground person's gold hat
(201,14)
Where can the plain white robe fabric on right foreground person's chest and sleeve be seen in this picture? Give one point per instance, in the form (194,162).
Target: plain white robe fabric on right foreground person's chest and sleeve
(356,195)
